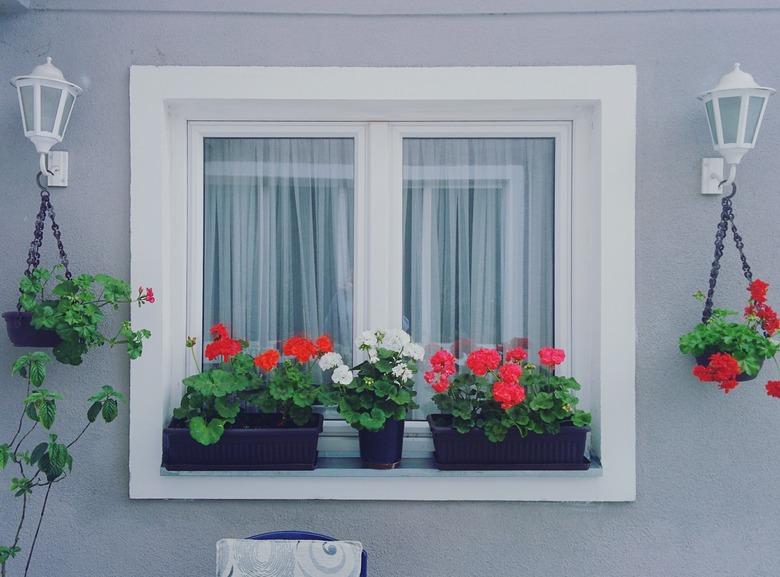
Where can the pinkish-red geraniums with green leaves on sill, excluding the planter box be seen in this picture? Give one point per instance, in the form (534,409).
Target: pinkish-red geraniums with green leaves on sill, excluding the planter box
(497,394)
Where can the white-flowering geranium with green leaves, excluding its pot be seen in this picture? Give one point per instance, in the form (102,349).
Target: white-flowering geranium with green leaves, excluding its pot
(379,389)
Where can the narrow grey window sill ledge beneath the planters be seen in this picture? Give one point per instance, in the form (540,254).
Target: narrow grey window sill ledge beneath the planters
(350,466)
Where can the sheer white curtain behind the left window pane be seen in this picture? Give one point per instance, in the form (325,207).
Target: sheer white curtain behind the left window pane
(278,238)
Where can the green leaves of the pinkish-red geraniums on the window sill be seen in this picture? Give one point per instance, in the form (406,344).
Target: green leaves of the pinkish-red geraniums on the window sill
(549,403)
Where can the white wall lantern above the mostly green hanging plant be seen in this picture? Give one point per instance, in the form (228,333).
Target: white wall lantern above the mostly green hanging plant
(46,101)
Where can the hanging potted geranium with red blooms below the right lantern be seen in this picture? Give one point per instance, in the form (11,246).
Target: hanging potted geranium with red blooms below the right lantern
(729,352)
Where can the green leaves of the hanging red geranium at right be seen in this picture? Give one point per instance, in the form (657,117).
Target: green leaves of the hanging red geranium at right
(744,343)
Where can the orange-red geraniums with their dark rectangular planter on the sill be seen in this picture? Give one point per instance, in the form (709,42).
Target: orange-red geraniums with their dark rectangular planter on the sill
(248,413)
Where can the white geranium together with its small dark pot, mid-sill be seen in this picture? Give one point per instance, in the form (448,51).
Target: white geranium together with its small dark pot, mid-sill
(375,401)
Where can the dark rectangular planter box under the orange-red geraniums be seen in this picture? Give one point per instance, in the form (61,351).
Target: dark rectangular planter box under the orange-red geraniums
(255,443)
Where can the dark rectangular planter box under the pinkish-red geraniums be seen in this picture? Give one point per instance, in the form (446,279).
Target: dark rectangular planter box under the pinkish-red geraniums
(456,451)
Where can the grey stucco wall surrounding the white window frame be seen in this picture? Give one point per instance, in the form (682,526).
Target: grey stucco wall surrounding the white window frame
(707,464)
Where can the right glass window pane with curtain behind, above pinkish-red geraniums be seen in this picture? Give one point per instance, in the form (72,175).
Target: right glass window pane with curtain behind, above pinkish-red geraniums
(478,244)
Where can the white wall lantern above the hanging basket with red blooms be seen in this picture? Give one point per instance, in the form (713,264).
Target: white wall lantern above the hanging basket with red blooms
(735,109)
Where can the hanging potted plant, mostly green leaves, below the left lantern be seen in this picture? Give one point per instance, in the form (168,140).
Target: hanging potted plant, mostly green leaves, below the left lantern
(69,316)
